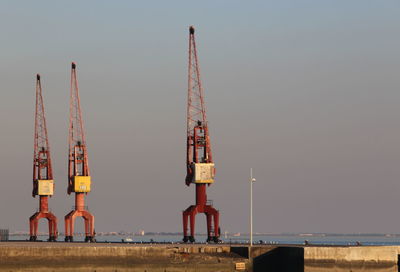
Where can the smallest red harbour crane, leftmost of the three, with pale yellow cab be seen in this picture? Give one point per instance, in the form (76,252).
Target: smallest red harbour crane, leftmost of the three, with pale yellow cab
(43,184)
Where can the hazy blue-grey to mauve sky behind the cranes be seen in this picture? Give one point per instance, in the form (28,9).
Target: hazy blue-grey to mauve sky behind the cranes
(306,93)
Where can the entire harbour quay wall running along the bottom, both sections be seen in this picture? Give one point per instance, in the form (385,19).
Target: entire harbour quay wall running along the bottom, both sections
(101,257)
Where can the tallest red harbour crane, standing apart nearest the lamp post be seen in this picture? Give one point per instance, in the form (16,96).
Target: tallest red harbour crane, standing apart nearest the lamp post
(199,162)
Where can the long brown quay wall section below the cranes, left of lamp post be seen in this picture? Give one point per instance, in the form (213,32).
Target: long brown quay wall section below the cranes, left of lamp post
(43,256)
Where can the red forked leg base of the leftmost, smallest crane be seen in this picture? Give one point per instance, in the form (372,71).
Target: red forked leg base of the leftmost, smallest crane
(43,213)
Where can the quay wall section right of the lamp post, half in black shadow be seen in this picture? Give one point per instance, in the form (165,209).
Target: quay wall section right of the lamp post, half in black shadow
(326,258)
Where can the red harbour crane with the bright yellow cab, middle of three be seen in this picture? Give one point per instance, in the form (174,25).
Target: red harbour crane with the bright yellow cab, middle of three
(79,181)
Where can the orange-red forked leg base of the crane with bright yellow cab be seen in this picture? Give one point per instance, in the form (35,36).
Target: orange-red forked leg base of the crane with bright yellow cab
(79,211)
